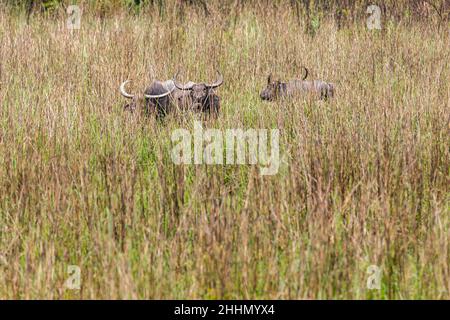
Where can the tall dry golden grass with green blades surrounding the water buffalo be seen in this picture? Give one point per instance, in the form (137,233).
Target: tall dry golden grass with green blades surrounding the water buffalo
(83,183)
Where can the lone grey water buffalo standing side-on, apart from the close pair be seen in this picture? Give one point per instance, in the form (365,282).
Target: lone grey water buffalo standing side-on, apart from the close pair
(277,89)
